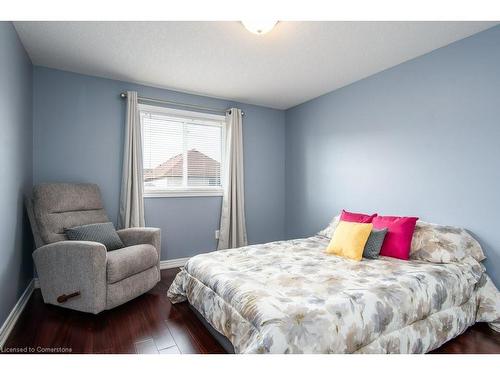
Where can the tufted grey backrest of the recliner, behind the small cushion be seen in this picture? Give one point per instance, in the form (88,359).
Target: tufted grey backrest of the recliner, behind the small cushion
(59,206)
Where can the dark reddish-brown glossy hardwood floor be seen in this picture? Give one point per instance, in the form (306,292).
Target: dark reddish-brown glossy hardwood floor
(151,324)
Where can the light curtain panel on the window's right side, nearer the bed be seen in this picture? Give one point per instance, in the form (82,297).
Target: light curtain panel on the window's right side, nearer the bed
(233,231)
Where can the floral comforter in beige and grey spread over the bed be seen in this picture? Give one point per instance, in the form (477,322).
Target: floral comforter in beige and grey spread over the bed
(291,297)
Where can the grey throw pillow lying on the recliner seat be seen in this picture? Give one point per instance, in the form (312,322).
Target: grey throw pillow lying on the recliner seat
(104,233)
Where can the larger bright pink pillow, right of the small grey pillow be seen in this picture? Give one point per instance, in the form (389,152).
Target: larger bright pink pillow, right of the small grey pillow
(397,241)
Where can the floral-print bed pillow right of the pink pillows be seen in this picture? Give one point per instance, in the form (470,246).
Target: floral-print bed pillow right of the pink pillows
(443,244)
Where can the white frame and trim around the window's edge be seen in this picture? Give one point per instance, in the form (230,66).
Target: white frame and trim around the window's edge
(192,191)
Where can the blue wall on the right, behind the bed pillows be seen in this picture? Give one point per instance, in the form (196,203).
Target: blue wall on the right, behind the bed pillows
(422,138)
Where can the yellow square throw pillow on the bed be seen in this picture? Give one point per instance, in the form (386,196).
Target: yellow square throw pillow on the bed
(349,239)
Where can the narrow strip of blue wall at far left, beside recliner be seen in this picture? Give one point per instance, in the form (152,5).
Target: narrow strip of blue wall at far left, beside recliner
(16,141)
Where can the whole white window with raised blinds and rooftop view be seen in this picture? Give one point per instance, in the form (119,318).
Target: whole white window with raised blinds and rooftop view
(183,152)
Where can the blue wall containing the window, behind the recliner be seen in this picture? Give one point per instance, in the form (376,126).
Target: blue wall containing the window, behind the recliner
(78,136)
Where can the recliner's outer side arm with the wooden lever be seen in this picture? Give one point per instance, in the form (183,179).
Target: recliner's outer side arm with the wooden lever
(67,267)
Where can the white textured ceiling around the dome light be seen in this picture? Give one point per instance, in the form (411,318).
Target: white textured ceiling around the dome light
(294,63)
